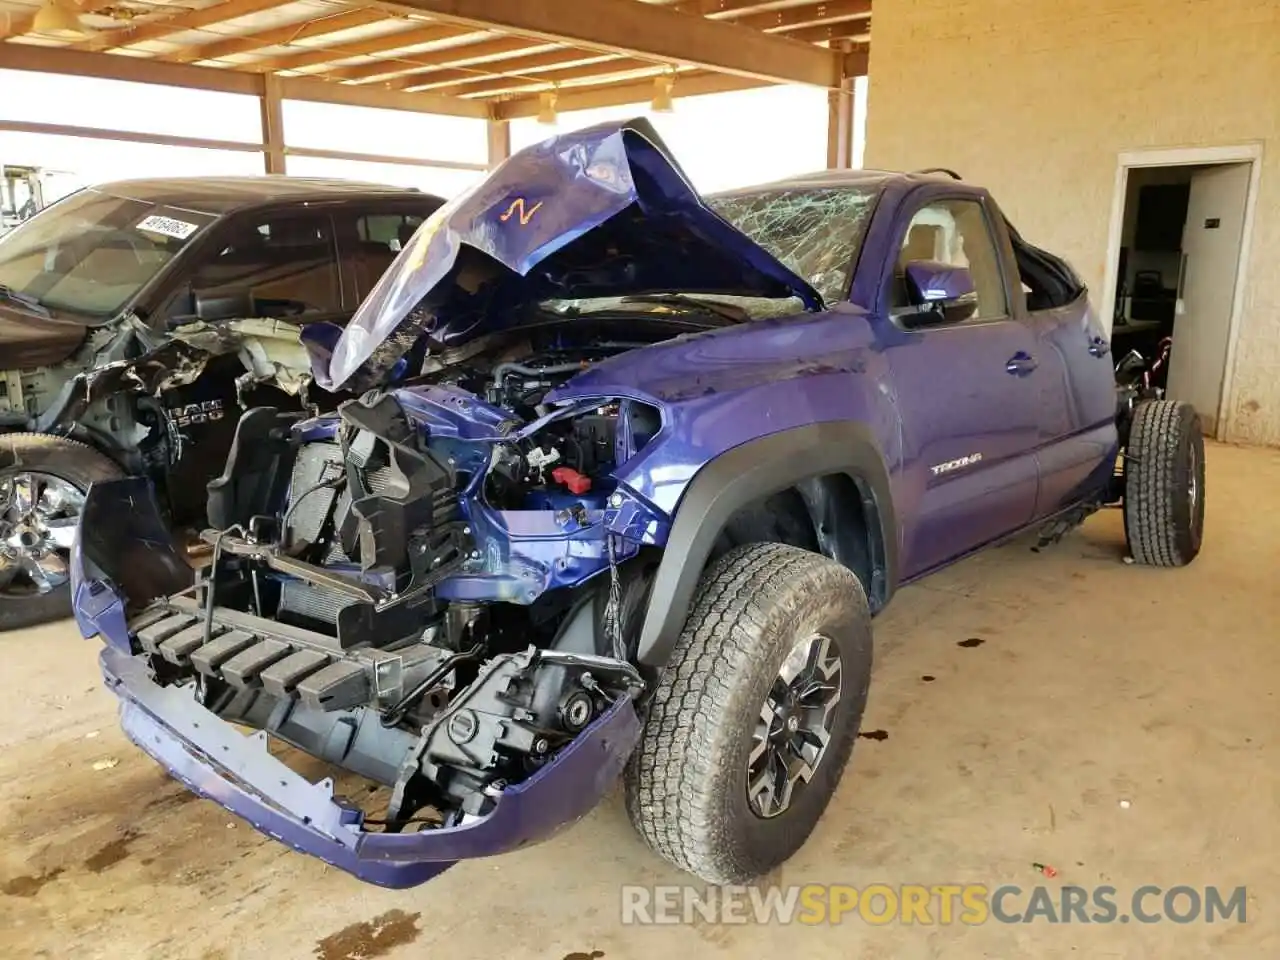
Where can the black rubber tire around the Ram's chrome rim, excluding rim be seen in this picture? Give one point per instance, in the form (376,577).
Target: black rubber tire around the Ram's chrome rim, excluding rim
(77,464)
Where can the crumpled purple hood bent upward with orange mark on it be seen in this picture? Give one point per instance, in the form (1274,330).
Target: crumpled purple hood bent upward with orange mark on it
(604,212)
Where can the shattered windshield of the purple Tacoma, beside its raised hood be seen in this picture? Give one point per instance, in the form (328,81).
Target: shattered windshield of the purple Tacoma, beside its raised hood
(815,231)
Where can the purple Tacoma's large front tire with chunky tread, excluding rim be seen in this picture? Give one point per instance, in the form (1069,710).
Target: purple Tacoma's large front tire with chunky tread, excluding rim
(687,781)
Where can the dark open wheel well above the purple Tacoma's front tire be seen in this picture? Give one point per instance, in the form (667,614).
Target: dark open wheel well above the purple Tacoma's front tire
(833,515)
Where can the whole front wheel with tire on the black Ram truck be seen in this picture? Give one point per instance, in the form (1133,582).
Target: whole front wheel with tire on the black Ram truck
(43,487)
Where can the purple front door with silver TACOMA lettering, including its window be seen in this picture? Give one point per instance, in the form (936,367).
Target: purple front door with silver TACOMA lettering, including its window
(966,385)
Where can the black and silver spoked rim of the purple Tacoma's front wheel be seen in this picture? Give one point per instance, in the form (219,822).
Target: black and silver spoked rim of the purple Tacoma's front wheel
(794,728)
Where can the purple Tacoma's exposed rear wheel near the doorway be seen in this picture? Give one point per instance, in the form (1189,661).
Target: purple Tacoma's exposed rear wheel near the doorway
(1164,520)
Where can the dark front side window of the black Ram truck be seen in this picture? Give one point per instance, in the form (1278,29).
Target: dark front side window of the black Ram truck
(286,266)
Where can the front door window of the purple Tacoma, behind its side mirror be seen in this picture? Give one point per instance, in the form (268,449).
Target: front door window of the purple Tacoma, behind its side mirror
(956,232)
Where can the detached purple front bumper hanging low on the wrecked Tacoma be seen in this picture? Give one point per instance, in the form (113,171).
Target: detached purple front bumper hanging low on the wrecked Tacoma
(122,548)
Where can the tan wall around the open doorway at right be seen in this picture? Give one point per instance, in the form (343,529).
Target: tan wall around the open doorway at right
(1036,99)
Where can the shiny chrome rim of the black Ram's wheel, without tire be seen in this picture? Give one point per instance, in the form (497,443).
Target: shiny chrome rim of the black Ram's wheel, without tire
(38,522)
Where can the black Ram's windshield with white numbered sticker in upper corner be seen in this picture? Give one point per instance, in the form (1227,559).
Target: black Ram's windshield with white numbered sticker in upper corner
(90,254)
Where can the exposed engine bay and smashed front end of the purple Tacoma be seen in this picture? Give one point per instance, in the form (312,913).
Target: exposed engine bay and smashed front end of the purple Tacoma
(427,589)
